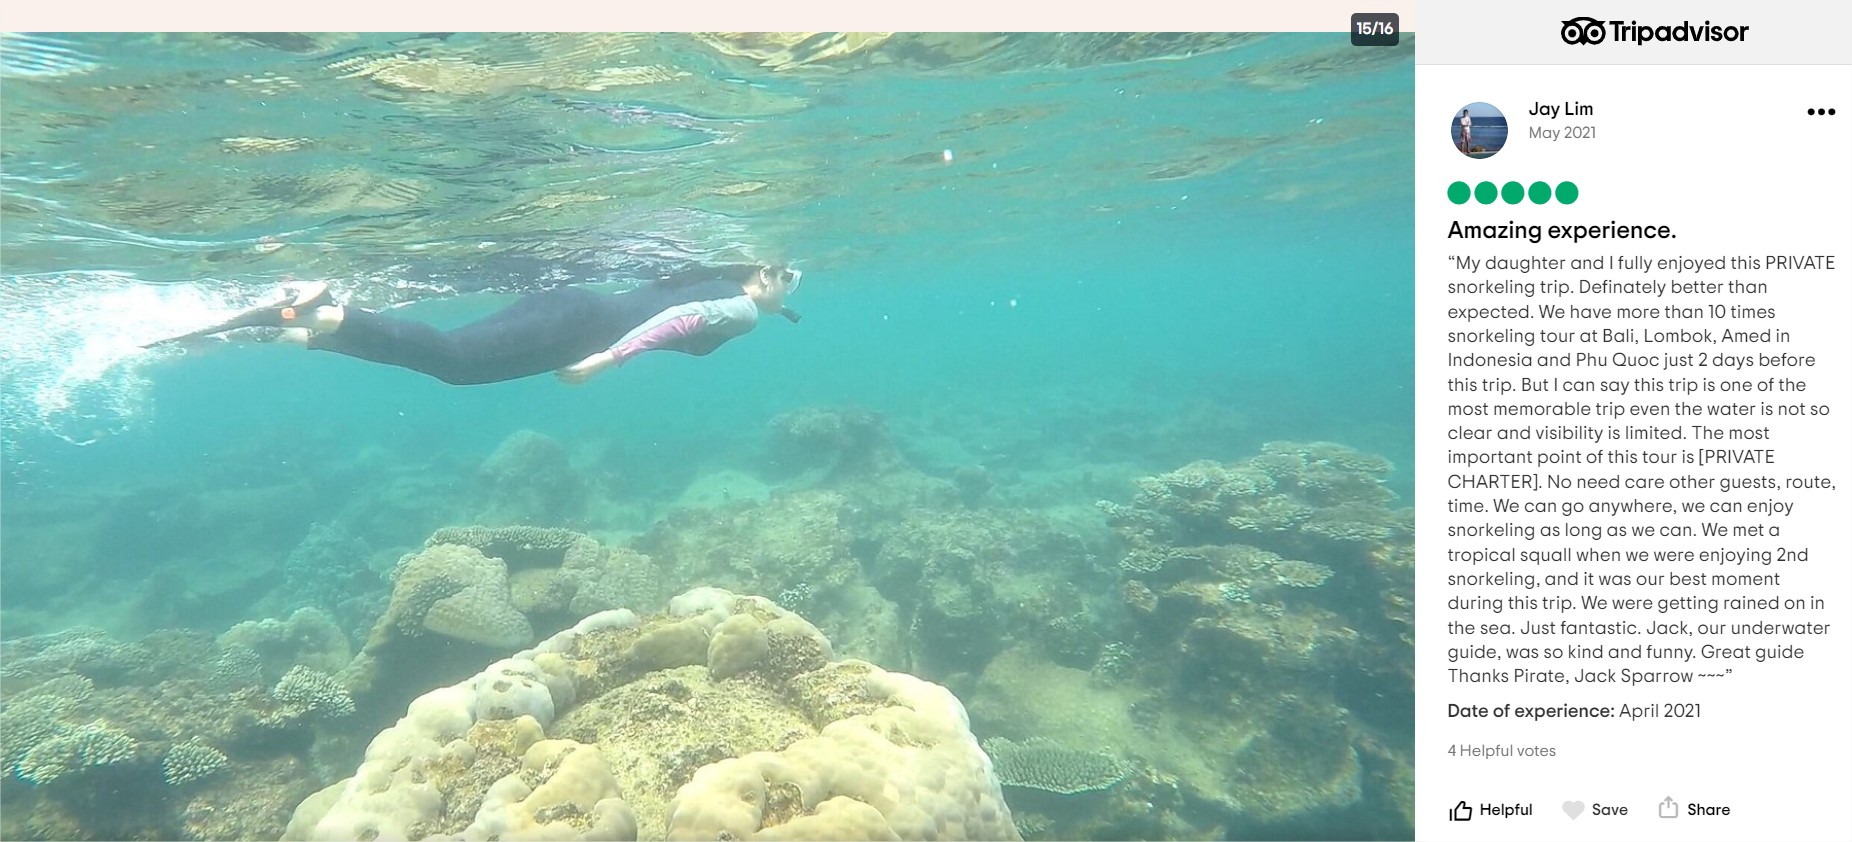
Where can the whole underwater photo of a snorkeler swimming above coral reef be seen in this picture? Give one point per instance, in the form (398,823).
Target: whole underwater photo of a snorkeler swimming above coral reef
(342,497)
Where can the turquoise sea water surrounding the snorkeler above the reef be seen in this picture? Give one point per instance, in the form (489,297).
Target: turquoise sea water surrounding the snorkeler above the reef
(1066,260)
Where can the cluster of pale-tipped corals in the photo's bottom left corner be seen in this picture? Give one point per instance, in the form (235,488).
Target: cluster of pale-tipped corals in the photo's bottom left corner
(186,745)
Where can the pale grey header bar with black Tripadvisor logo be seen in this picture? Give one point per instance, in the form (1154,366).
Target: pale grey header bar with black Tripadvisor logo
(1614,32)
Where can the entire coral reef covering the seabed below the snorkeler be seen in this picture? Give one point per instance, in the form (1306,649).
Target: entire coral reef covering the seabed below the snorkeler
(1234,665)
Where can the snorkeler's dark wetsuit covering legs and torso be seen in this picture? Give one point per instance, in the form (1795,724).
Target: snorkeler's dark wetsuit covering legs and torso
(538,334)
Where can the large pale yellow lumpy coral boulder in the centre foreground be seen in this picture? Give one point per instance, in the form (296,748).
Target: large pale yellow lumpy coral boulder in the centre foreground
(625,728)
